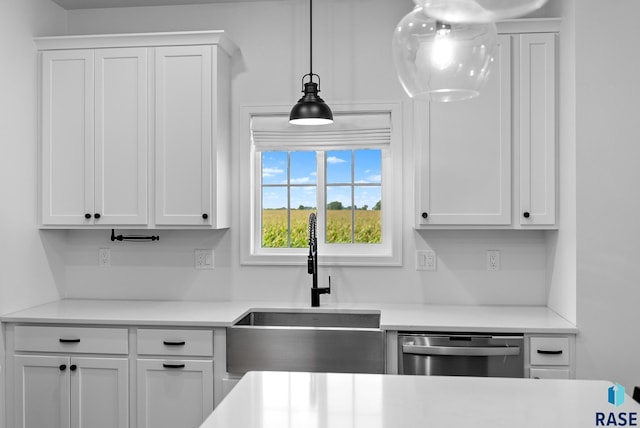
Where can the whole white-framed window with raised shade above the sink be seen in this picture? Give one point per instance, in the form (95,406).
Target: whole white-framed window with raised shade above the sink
(345,173)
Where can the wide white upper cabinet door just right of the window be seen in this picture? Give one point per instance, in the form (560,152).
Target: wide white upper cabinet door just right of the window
(464,151)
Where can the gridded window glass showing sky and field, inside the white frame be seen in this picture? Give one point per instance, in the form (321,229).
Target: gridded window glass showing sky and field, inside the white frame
(289,194)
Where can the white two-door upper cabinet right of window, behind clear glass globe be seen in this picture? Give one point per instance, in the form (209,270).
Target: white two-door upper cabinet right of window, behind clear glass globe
(490,162)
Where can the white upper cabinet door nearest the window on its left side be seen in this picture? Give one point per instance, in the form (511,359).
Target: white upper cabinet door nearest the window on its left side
(183,132)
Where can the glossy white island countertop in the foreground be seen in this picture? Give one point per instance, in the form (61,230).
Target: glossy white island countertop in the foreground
(319,400)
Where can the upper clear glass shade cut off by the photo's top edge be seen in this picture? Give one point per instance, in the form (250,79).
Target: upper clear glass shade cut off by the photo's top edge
(478,10)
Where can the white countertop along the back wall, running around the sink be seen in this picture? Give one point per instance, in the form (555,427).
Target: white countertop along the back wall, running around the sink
(408,317)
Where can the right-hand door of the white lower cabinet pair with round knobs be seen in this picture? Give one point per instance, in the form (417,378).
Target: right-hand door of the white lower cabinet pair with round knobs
(99,392)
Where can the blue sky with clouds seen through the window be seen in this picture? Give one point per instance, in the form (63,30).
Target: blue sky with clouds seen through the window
(367,169)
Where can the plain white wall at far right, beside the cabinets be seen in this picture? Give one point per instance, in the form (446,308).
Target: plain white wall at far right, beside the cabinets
(608,199)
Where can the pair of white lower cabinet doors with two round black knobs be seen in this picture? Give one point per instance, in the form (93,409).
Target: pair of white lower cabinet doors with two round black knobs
(76,392)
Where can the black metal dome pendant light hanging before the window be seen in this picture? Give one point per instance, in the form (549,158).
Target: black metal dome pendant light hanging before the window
(311,109)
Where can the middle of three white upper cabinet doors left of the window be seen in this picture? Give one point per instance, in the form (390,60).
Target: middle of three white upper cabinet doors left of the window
(121,142)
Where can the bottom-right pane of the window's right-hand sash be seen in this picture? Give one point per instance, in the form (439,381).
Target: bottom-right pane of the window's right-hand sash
(368,218)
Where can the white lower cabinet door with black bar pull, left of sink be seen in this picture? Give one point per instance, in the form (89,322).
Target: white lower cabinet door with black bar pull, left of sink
(174,393)
